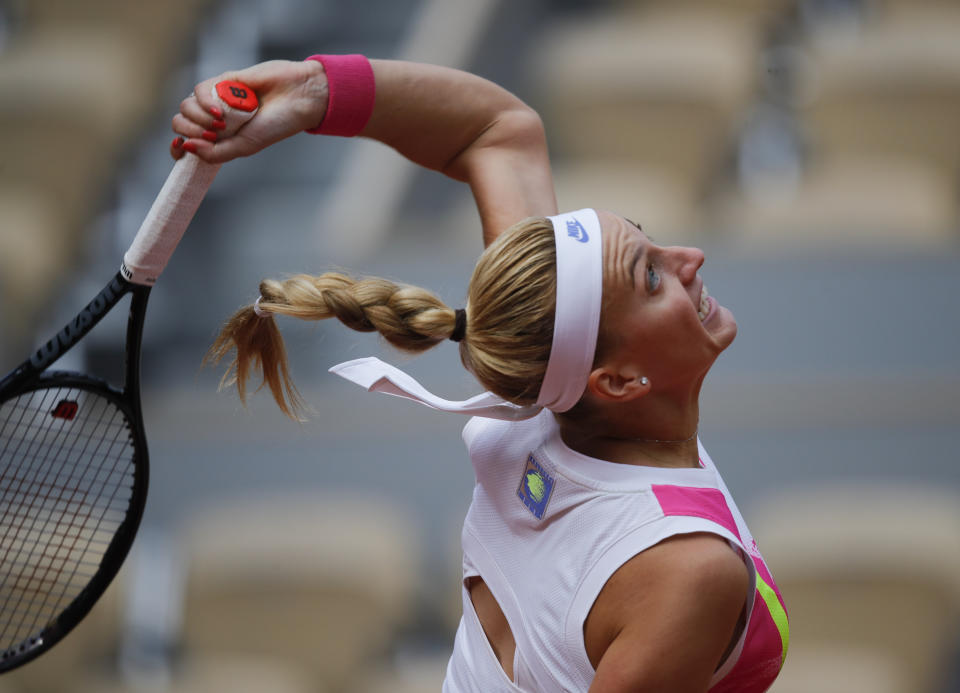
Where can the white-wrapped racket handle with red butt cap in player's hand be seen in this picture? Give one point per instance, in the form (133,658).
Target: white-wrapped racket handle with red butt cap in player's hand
(181,194)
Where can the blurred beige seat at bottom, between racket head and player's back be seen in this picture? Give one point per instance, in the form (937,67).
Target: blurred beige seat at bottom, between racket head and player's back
(320,581)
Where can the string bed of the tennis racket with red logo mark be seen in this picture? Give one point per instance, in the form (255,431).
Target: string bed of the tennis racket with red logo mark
(66,473)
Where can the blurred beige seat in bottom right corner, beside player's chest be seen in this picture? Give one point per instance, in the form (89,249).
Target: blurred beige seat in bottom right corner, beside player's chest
(870,568)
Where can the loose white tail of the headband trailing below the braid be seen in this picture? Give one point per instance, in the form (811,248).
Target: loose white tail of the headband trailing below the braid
(375,375)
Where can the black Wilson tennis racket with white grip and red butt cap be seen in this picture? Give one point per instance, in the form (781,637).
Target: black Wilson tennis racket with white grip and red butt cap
(73,453)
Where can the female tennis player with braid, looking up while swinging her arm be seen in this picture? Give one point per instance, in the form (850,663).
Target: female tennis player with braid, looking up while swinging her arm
(602,550)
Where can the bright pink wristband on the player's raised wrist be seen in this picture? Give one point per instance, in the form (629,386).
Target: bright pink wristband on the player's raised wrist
(351,92)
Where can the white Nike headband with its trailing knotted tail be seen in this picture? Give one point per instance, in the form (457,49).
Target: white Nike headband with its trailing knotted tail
(576,323)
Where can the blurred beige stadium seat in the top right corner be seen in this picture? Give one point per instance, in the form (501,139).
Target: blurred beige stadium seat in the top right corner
(892,87)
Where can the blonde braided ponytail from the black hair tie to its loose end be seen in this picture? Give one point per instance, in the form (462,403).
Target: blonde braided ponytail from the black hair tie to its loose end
(410,318)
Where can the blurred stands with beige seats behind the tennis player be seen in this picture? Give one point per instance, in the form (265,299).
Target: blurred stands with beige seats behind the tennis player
(809,145)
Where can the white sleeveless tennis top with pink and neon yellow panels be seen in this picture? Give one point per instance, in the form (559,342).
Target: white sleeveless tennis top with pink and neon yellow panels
(546,529)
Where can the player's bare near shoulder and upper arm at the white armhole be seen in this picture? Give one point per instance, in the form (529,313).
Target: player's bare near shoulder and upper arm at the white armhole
(666,616)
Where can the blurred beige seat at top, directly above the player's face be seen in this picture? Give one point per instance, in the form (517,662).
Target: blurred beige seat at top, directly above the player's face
(656,88)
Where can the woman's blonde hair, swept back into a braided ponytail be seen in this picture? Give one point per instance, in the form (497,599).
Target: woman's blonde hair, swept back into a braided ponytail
(509,328)
